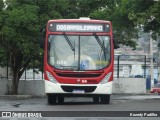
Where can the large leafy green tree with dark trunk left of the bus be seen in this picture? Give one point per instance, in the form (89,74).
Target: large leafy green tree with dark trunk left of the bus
(20,25)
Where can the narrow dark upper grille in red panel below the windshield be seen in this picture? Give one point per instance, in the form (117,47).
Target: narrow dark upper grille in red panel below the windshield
(77,75)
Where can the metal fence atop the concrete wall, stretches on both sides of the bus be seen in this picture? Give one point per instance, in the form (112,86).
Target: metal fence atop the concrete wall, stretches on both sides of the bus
(125,66)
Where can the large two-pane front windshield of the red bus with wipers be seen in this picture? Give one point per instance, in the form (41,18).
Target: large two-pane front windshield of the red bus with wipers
(79,52)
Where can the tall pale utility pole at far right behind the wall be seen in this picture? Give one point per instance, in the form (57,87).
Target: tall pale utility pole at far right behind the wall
(151,61)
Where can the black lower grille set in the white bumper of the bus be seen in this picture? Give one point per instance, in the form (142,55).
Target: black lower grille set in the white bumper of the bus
(86,89)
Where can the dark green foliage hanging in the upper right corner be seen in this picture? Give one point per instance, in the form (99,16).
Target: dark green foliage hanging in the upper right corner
(148,15)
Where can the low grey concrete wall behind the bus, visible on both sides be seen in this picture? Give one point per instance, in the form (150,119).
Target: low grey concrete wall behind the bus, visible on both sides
(36,87)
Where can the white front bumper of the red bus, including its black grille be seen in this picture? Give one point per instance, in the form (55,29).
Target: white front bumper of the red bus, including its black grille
(79,89)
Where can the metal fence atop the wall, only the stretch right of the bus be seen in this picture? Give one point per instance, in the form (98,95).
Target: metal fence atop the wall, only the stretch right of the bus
(129,66)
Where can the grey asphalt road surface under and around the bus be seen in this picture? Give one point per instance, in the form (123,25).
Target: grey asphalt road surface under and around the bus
(85,109)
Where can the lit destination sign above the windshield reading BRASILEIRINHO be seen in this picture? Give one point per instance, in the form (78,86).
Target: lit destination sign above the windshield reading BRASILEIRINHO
(78,27)
